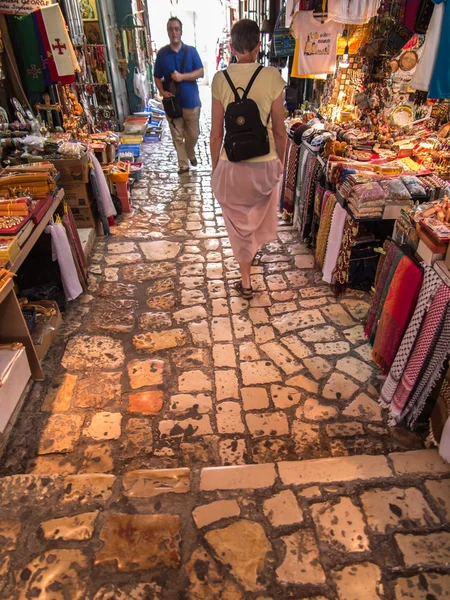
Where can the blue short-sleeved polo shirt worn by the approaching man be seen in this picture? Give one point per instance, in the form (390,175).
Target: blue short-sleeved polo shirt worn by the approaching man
(168,61)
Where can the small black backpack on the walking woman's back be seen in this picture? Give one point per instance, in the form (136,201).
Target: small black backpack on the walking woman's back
(246,136)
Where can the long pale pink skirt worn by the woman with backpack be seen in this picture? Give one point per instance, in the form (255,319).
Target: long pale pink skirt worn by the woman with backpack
(248,194)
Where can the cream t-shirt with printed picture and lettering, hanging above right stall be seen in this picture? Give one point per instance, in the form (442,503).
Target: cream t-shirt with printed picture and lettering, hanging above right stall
(317,43)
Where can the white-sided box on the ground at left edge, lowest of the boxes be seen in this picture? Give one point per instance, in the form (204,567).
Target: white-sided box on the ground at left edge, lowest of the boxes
(14,375)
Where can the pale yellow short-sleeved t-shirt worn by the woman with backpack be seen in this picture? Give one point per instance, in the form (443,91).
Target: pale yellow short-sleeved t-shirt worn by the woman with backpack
(265,90)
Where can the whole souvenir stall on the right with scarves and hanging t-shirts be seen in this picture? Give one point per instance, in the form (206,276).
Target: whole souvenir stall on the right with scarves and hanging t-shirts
(367,179)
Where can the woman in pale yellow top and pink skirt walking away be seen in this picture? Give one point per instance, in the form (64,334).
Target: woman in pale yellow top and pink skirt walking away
(247,189)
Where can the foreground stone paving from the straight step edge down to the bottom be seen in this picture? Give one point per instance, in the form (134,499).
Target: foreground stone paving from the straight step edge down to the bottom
(188,534)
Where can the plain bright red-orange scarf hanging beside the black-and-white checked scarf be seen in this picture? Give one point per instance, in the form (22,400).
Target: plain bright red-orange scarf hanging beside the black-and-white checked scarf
(397,310)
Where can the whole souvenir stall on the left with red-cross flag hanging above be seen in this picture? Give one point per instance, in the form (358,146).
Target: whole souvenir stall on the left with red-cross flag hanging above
(67,165)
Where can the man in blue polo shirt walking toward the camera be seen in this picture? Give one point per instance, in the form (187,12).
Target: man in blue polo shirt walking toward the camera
(177,69)
